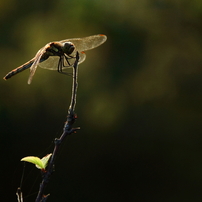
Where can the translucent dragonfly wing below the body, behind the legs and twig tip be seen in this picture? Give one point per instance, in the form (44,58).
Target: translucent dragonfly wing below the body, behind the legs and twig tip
(52,62)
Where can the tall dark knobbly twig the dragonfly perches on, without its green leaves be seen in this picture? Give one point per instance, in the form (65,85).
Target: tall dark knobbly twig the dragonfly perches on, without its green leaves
(67,130)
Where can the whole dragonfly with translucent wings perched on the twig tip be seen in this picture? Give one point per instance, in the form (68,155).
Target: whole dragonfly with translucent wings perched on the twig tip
(59,55)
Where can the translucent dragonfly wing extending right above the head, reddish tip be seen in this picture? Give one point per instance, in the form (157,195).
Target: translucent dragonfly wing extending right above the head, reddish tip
(87,43)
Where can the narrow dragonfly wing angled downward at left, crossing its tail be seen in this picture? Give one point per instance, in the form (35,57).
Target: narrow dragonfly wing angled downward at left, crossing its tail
(37,59)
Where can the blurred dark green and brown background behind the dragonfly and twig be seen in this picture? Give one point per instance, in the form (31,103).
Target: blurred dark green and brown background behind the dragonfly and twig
(139,100)
